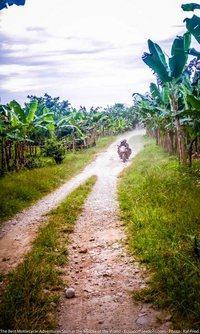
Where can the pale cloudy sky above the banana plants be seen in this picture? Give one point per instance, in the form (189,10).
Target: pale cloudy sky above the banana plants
(86,51)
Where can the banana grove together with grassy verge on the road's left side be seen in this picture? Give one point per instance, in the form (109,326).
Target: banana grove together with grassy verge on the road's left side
(47,141)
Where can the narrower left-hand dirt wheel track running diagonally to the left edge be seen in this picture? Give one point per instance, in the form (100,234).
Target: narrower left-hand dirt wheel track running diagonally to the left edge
(17,234)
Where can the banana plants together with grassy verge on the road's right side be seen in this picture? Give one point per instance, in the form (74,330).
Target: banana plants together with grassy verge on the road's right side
(159,194)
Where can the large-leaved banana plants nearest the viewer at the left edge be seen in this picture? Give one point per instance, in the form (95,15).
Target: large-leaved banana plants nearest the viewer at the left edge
(21,128)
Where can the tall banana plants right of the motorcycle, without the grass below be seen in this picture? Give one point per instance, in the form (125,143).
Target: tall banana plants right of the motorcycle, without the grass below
(170,110)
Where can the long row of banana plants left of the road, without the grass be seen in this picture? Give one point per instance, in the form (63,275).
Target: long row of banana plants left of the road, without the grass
(48,127)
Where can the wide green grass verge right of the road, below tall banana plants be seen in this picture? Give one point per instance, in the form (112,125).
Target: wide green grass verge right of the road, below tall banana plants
(159,203)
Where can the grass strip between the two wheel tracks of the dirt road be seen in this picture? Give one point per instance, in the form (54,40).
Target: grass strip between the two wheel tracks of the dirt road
(33,288)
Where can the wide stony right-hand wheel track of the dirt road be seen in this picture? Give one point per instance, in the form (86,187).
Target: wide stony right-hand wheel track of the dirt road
(99,269)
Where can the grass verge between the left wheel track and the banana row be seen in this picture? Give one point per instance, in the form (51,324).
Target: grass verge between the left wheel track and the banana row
(19,190)
